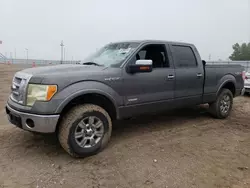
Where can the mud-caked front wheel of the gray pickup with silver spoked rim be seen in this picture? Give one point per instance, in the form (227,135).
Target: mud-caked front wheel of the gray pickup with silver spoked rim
(76,123)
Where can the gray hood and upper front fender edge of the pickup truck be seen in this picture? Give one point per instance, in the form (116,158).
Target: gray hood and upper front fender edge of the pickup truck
(64,75)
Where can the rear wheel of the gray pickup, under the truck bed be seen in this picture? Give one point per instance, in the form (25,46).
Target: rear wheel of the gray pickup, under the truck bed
(218,109)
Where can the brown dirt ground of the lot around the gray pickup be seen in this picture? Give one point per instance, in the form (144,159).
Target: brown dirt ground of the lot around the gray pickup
(190,149)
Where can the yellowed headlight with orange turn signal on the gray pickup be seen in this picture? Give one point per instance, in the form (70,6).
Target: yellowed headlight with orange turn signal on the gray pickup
(37,92)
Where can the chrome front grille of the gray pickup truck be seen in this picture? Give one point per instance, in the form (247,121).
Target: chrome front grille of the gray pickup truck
(19,87)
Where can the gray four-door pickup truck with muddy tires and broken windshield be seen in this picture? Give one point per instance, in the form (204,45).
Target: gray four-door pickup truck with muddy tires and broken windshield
(121,80)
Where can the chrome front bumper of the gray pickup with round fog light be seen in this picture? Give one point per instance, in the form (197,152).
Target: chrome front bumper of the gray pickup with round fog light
(32,122)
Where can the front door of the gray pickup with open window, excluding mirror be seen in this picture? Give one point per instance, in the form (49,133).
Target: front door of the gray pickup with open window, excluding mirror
(151,91)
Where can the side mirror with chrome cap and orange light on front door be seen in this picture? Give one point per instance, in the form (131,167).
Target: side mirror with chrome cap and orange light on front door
(144,65)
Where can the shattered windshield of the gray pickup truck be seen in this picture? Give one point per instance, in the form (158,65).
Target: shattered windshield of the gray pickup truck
(112,55)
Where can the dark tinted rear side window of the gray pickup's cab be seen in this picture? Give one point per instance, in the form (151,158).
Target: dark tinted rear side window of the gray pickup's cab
(184,56)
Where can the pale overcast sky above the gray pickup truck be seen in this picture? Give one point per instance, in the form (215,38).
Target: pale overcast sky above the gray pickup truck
(84,25)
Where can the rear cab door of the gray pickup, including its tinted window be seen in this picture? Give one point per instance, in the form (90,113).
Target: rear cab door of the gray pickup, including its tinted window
(189,75)
